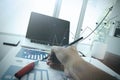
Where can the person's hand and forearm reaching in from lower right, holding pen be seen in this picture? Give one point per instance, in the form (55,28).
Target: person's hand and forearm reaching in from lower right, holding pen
(75,67)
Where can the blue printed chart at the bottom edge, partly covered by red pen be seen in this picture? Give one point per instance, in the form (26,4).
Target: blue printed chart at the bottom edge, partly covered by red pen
(36,74)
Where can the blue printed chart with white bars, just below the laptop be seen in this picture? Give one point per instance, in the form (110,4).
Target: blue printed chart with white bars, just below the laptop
(31,54)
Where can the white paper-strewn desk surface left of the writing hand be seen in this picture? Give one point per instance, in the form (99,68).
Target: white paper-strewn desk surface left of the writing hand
(8,60)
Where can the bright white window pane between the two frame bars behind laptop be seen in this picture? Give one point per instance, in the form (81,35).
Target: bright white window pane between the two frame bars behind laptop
(70,10)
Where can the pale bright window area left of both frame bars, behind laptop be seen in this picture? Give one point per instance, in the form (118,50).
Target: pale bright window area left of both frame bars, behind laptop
(15,14)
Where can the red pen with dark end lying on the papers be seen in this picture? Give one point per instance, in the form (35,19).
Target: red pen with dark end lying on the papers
(26,69)
